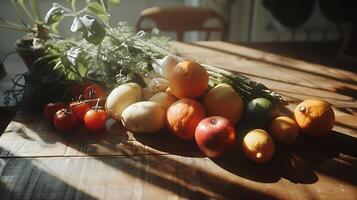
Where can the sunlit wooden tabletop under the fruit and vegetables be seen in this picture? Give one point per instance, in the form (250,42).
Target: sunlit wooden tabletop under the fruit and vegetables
(37,162)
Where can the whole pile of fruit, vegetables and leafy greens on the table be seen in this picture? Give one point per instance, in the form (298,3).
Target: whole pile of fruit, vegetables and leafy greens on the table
(136,79)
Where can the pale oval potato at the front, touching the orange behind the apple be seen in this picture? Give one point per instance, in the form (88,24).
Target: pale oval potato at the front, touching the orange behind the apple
(144,117)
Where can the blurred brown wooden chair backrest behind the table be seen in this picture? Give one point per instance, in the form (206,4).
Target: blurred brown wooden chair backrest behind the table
(182,19)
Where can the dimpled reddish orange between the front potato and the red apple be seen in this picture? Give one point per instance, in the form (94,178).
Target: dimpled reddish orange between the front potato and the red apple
(183,116)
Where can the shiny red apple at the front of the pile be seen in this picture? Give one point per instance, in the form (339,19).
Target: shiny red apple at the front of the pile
(215,136)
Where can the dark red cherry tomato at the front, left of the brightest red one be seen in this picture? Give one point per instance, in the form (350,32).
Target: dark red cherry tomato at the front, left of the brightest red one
(64,120)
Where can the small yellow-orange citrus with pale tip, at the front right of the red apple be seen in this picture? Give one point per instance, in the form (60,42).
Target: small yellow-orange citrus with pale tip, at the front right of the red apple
(258,146)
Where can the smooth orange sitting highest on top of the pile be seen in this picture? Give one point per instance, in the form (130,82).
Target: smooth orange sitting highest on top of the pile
(188,79)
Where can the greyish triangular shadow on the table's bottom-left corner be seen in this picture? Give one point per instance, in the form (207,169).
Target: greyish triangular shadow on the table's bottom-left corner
(24,179)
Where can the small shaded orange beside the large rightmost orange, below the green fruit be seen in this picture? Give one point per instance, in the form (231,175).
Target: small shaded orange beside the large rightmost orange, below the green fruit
(284,129)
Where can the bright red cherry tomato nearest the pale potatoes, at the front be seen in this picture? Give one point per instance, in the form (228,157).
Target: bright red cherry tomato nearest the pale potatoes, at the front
(95,119)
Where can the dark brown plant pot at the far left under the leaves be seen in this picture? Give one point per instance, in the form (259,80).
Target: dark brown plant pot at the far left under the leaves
(27,53)
